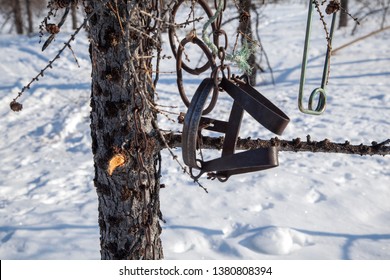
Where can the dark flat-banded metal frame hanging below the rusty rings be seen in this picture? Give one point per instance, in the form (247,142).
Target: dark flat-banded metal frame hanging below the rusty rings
(245,98)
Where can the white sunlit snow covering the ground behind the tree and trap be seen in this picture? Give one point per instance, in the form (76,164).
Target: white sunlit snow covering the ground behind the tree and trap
(313,206)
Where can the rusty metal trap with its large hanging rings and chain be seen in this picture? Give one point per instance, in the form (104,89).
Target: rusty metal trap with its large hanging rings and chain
(244,96)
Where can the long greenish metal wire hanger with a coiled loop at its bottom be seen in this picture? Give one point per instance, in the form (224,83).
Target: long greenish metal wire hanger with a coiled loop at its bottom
(318,93)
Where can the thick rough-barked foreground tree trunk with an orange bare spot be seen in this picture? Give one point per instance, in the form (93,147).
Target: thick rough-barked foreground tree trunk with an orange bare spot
(124,140)
